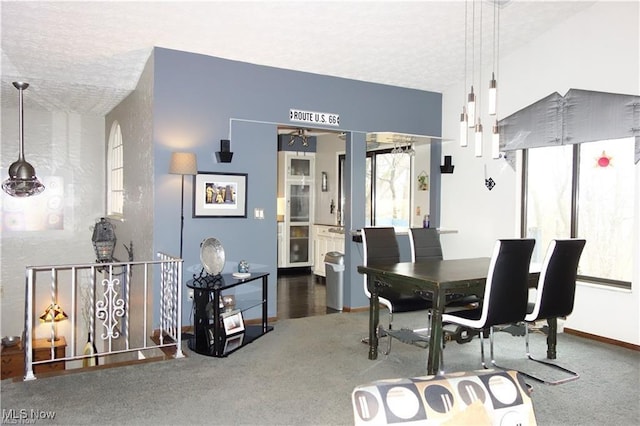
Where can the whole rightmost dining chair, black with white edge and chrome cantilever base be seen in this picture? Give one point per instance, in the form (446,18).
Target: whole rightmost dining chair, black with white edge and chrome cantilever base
(555,294)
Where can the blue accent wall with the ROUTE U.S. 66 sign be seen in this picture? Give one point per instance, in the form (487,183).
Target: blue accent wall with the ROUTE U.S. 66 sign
(198,100)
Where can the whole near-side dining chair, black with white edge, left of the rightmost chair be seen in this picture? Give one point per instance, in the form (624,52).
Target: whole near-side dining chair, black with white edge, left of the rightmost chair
(505,294)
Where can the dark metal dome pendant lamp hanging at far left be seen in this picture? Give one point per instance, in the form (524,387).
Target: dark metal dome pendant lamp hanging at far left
(22,181)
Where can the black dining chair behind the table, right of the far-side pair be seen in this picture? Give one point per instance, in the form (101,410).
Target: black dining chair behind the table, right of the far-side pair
(425,245)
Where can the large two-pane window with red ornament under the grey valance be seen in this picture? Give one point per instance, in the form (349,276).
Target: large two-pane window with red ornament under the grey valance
(584,191)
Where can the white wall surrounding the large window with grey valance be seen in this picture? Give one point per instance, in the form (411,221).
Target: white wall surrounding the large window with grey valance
(598,49)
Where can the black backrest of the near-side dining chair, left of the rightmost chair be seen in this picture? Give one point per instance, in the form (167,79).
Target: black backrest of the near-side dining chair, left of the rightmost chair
(506,289)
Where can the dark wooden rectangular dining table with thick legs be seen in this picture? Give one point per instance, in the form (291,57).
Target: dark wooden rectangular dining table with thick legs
(434,280)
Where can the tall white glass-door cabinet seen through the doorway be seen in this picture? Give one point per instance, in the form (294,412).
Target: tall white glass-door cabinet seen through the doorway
(296,186)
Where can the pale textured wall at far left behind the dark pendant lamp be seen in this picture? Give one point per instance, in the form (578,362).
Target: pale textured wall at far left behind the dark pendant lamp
(67,146)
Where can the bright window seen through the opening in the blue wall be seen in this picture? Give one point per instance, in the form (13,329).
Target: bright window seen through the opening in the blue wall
(388,188)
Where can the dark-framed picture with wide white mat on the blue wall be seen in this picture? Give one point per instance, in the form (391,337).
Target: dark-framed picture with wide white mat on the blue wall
(220,194)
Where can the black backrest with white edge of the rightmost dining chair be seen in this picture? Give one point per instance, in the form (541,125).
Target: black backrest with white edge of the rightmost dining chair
(557,284)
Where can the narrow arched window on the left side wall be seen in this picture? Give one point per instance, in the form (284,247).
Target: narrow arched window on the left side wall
(115,172)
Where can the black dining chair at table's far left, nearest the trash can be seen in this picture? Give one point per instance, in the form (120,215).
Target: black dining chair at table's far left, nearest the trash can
(380,246)
